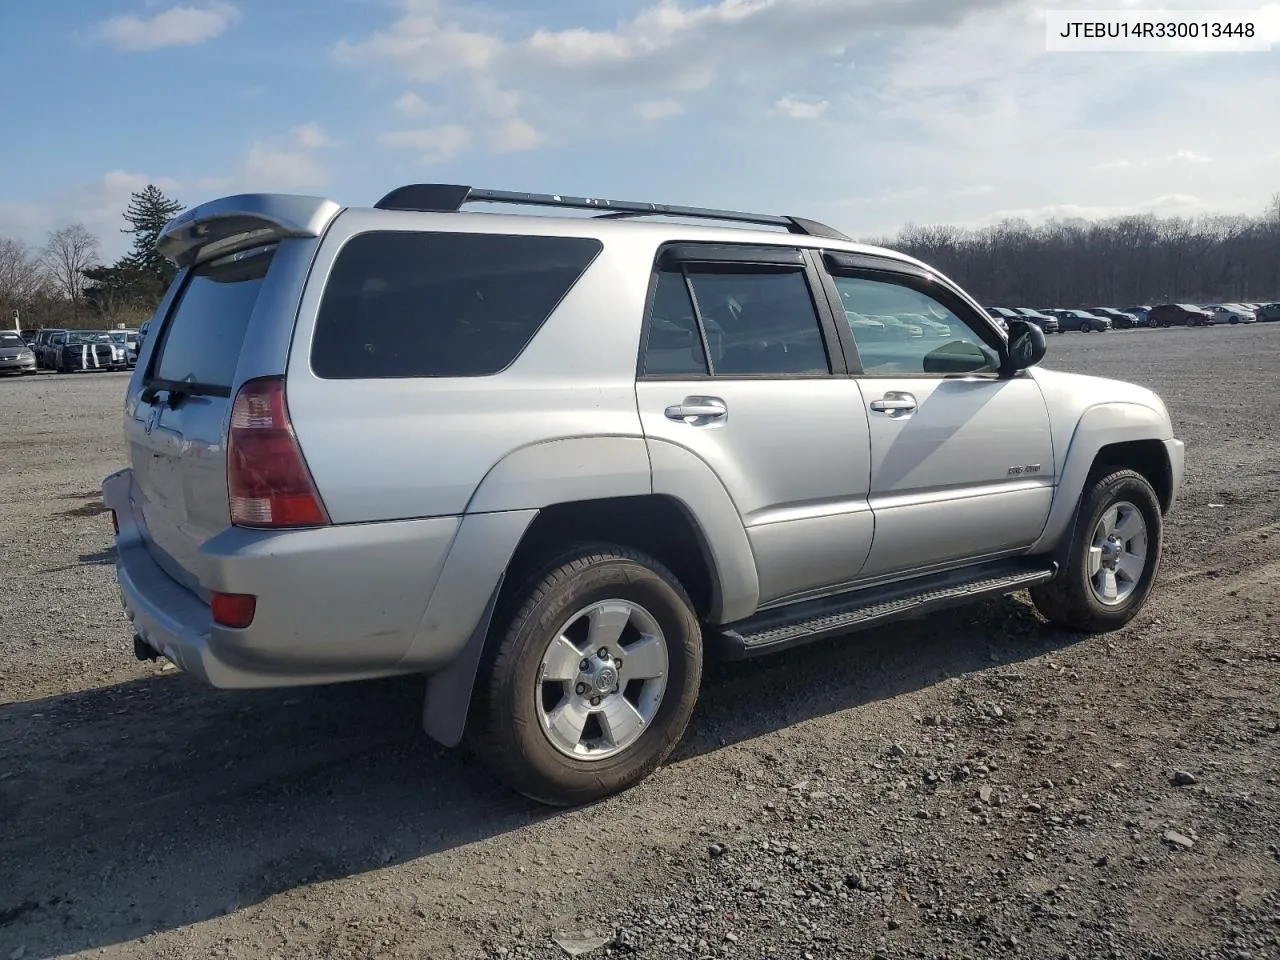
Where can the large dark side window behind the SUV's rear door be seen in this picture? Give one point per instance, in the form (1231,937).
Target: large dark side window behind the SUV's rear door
(441,304)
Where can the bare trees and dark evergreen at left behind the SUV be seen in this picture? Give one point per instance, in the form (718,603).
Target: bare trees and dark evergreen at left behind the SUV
(66,284)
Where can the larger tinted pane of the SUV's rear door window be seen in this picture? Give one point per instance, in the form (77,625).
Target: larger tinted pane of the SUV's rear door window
(760,323)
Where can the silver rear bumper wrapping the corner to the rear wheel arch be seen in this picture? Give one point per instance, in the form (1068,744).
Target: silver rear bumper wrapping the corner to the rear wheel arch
(340,604)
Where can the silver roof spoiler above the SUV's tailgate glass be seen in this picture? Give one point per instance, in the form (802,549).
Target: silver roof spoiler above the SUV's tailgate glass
(248,220)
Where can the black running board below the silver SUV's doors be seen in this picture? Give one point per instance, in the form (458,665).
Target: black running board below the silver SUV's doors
(807,621)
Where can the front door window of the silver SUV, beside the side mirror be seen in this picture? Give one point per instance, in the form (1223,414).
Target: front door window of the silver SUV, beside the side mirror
(902,332)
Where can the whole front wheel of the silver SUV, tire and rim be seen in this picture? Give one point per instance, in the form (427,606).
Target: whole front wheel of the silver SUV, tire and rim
(1114,557)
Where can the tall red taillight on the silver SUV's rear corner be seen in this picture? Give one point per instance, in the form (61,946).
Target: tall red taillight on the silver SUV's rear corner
(268,479)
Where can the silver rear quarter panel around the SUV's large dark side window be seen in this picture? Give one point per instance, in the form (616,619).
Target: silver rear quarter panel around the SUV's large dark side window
(400,449)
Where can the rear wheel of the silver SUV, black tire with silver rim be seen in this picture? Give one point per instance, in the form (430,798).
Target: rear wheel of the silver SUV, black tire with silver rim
(510,728)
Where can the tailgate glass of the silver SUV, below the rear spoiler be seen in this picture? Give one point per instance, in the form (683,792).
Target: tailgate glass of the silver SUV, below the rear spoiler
(202,344)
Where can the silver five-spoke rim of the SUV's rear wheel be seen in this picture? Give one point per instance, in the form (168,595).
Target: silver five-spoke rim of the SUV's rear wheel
(602,680)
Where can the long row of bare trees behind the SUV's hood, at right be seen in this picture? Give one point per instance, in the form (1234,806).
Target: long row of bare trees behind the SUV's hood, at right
(1121,262)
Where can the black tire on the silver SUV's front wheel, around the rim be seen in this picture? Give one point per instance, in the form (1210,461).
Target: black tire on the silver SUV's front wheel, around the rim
(1072,600)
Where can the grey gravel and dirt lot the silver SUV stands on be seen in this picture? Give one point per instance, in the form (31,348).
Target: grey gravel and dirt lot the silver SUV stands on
(975,785)
